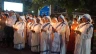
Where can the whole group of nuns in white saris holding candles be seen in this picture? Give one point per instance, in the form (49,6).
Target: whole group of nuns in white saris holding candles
(50,35)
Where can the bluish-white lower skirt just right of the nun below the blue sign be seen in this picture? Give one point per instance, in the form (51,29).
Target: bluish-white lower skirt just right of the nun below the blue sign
(56,43)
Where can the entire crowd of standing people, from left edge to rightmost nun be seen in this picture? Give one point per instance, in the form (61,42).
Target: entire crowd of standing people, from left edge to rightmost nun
(47,35)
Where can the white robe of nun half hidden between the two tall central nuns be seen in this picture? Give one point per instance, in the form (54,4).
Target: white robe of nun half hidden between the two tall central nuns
(55,41)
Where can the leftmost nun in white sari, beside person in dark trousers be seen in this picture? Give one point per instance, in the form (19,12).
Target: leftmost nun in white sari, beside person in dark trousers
(19,41)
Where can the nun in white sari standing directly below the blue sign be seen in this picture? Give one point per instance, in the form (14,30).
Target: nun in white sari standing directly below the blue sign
(45,36)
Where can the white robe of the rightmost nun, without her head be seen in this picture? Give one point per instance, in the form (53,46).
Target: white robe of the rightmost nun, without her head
(83,41)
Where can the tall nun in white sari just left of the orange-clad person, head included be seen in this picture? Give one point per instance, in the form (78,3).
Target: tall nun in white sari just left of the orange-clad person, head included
(64,31)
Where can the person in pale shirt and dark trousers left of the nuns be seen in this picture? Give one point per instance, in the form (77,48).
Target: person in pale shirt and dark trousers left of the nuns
(9,31)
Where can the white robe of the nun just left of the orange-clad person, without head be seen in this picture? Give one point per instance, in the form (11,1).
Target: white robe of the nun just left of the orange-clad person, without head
(64,32)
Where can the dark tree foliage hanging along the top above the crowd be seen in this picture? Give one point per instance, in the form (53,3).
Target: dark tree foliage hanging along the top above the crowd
(70,5)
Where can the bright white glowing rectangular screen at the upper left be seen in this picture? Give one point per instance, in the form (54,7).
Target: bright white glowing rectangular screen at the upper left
(18,7)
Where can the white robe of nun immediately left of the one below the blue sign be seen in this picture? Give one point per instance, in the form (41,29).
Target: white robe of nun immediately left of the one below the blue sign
(35,40)
